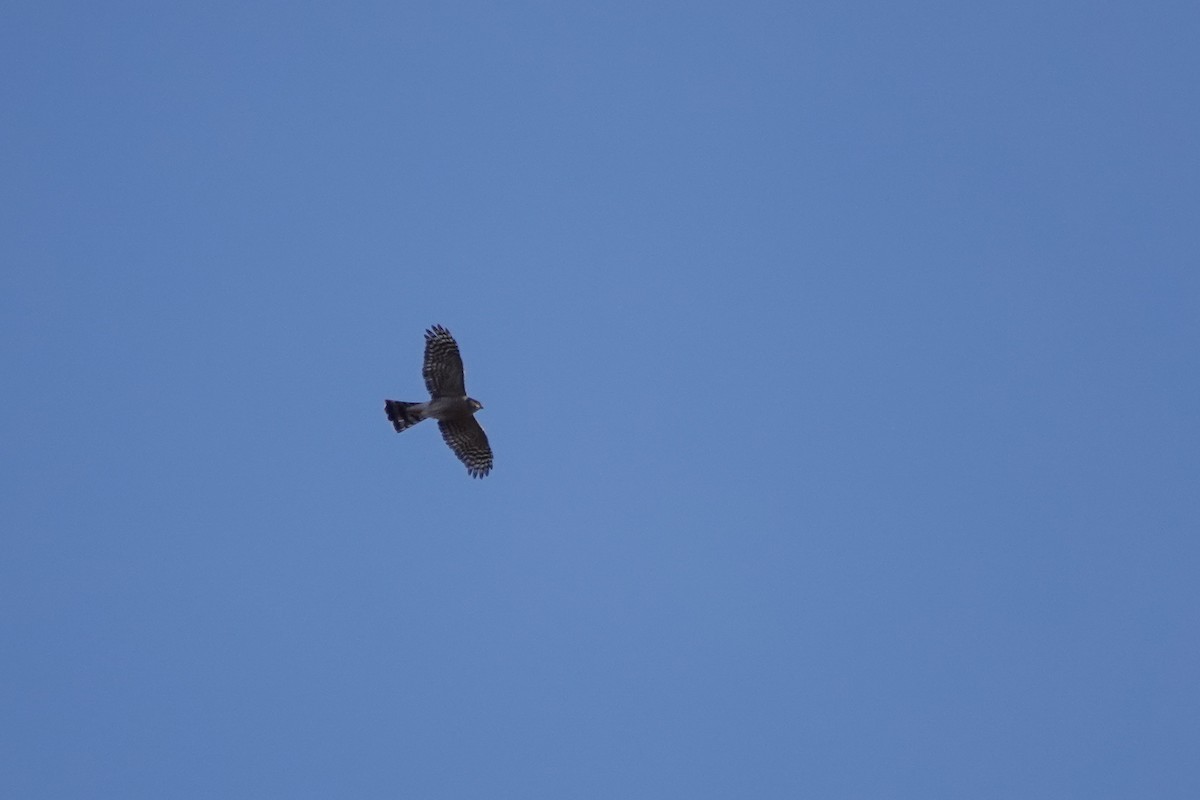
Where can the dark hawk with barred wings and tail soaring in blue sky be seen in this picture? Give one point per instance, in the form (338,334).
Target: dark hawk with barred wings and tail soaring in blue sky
(448,405)
